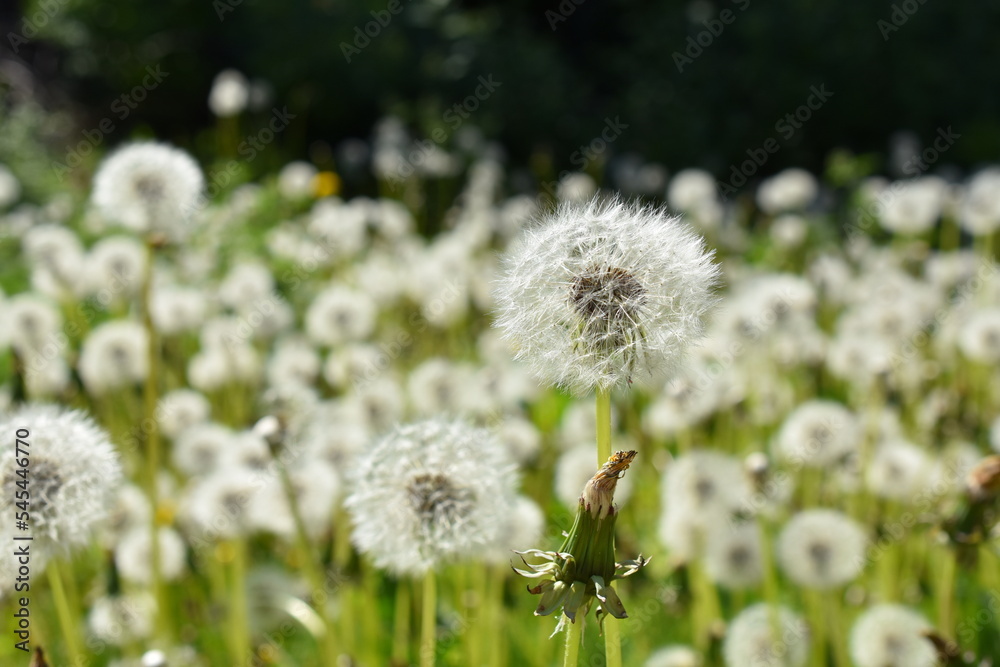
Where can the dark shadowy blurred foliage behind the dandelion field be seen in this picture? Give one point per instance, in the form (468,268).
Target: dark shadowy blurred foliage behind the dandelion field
(564,68)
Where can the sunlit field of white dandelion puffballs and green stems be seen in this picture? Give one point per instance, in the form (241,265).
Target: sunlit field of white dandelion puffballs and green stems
(290,421)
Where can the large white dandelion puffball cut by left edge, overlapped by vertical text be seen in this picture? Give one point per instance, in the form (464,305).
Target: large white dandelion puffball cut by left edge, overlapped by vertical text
(74,473)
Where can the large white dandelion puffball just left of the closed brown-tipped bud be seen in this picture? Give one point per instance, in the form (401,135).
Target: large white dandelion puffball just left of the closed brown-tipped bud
(430,492)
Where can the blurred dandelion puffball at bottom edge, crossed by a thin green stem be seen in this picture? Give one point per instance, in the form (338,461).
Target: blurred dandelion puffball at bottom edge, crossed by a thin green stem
(751,639)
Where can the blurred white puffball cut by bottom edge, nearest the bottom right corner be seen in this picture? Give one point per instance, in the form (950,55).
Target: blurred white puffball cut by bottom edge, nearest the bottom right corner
(889,635)
